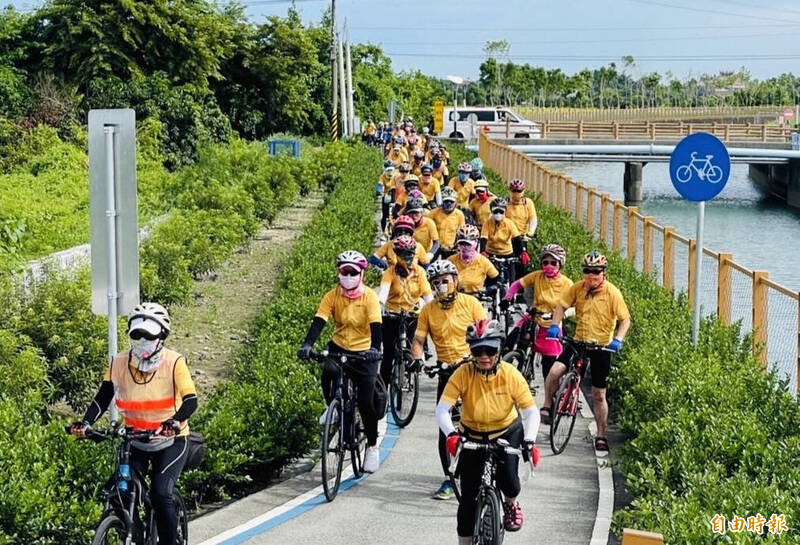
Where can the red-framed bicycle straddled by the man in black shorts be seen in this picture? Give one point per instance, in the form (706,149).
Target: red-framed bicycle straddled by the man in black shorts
(566,401)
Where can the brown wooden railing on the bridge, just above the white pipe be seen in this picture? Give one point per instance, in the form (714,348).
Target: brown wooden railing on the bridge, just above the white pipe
(663,130)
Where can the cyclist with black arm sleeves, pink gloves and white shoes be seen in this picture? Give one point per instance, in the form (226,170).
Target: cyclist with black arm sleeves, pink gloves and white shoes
(357,330)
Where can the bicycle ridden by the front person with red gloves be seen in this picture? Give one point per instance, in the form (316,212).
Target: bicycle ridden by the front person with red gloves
(489,529)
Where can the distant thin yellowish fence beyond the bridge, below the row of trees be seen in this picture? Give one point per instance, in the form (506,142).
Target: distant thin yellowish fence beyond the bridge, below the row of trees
(664,113)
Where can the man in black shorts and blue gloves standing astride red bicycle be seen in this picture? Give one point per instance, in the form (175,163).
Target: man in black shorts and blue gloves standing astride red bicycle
(599,307)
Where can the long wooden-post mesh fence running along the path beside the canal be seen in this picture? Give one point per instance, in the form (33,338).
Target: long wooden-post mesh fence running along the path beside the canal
(768,310)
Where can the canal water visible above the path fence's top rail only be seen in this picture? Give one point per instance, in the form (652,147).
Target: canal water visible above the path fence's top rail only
(761,232)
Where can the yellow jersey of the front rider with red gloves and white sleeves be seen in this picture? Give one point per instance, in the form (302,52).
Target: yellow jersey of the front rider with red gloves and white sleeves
(488,402)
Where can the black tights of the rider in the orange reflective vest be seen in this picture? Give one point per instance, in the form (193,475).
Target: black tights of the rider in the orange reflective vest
(165,468)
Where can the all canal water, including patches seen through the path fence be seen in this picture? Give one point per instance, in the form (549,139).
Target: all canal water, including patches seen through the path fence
(760,231)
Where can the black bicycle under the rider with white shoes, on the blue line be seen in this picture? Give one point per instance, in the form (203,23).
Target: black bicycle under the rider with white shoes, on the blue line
(343,430)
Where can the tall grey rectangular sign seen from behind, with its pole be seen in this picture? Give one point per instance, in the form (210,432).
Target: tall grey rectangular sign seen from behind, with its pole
(113,218)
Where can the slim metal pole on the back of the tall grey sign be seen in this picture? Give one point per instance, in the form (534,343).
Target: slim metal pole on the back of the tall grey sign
(111,223)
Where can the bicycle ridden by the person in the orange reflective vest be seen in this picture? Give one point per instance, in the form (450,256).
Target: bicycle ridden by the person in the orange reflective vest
(128,516)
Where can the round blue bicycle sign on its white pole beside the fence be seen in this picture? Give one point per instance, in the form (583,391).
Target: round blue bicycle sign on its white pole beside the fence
(699,168)
